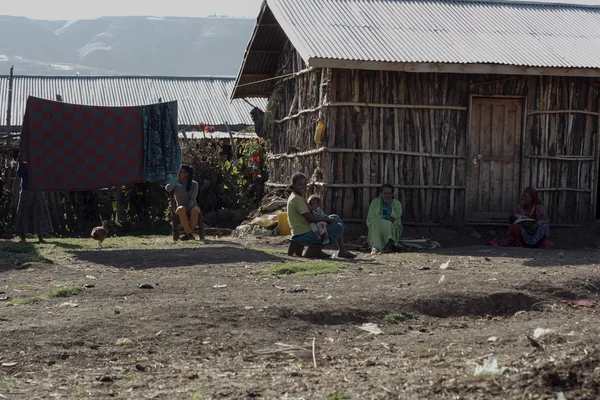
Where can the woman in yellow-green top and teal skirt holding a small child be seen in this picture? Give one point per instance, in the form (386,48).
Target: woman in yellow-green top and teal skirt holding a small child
(299,218)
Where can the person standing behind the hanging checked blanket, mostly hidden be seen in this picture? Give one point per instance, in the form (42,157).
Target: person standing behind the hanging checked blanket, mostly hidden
(32,212)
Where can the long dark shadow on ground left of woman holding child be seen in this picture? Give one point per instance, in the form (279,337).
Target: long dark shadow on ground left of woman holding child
(181,257)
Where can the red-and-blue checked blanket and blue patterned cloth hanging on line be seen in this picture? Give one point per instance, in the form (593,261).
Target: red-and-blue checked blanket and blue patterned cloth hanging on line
(73,147)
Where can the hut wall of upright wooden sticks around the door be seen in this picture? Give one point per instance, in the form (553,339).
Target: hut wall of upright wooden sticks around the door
(411,130)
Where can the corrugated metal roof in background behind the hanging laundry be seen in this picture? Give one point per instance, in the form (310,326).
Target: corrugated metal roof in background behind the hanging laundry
(200,99)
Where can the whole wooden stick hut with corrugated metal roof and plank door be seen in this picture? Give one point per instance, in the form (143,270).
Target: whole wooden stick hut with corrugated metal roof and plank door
(458,104)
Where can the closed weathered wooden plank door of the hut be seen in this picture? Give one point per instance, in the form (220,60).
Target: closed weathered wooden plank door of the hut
(493,183)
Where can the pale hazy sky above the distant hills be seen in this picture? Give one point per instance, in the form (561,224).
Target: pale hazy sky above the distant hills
(78,9)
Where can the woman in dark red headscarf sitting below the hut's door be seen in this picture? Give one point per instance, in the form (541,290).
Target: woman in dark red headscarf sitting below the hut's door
(529,224)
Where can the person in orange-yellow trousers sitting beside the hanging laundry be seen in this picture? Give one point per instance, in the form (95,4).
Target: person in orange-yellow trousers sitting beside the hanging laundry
(186,191)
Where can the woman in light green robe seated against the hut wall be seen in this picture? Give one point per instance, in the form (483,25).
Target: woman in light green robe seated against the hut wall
(383,221)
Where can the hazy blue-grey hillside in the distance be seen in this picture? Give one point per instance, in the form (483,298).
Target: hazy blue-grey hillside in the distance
(124,45)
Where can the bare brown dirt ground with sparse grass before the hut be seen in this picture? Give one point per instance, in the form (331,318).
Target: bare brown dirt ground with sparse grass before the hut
(198,332)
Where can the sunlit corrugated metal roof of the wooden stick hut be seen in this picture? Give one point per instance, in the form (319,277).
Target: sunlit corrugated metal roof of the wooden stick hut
(465,32)
